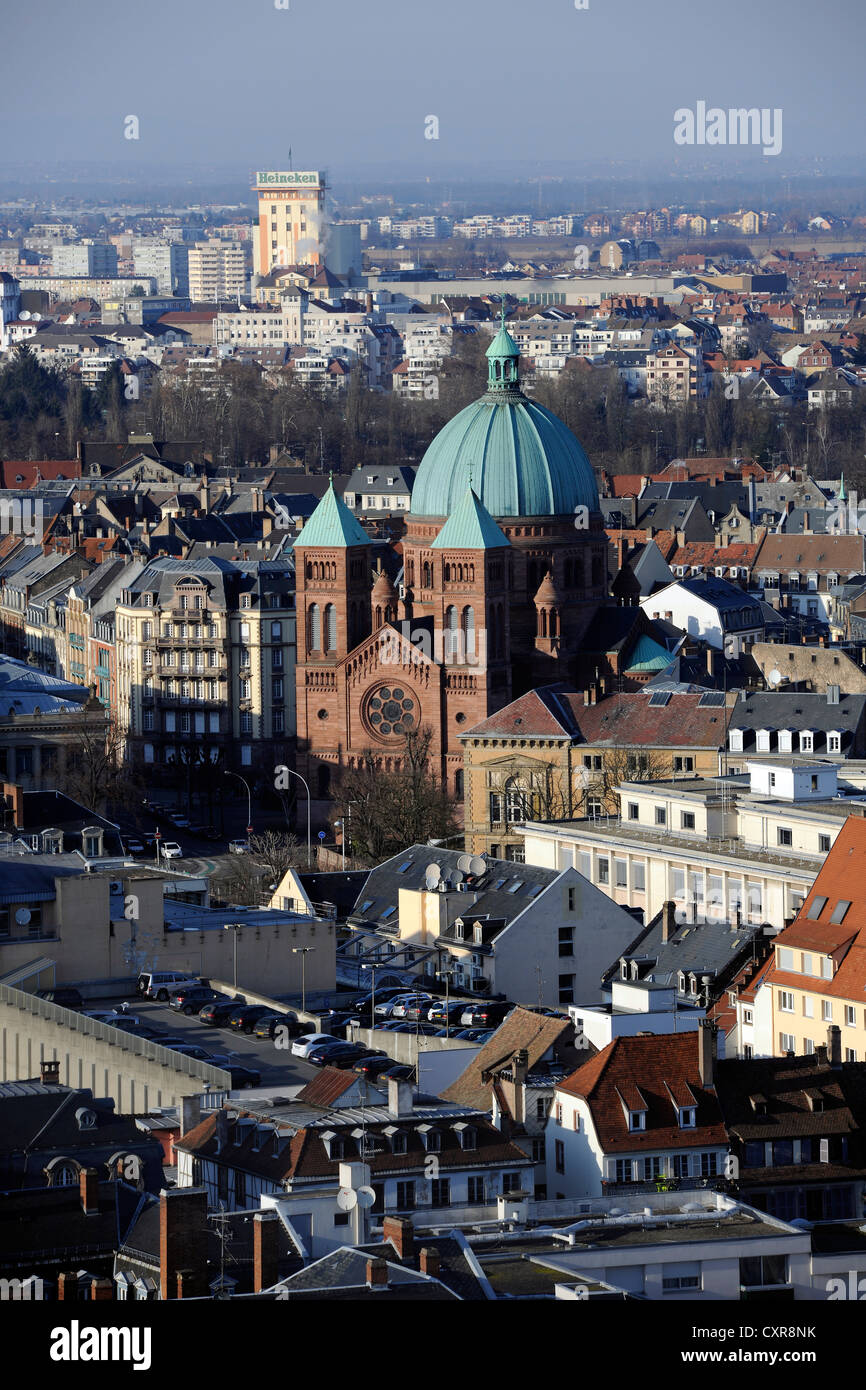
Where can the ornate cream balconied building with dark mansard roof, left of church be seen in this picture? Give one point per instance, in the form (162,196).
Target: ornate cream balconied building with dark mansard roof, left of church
(206,662)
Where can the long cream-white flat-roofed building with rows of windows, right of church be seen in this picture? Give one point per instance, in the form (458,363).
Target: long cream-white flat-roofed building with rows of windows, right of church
(722,849)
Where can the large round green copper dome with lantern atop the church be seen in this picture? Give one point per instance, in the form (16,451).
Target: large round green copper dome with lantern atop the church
(516,455)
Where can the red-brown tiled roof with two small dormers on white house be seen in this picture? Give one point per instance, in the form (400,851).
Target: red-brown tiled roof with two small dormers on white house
(647,1070)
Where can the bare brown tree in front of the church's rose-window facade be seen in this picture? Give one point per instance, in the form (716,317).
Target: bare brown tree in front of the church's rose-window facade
(391,810)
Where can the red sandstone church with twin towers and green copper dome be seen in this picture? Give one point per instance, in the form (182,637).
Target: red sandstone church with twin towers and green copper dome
(504,566)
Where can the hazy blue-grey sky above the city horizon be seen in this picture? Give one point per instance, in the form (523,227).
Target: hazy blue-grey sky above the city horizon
(348,84)
